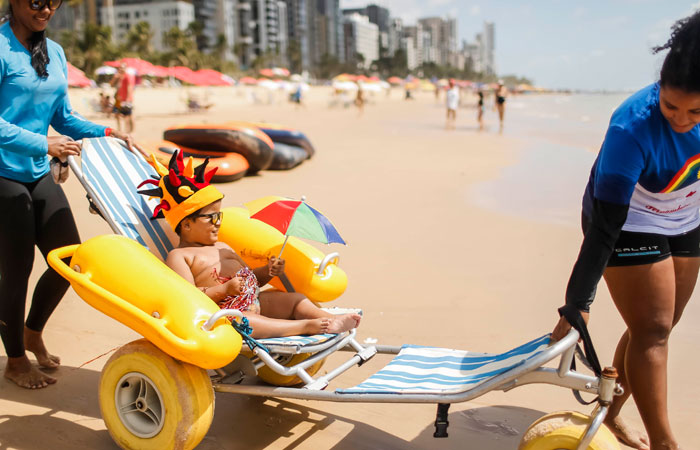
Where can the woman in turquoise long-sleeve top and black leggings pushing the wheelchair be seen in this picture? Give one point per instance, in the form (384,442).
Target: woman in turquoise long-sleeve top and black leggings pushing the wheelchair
(33,209)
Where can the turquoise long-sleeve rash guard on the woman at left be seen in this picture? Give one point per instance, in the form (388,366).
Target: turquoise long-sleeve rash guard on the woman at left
(29,104)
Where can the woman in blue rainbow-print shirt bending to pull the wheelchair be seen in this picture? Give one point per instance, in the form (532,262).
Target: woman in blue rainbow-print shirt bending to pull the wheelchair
(642,231)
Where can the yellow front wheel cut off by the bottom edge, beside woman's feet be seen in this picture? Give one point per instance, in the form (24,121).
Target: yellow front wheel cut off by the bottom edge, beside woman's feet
(562,431)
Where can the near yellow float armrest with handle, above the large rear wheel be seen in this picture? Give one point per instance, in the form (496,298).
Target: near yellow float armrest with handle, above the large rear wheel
(125,281)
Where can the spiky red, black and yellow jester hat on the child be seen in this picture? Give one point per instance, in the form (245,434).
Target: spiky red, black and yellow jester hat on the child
(182,189)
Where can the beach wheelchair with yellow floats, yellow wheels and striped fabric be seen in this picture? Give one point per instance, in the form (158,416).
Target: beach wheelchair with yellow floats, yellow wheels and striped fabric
(158,392)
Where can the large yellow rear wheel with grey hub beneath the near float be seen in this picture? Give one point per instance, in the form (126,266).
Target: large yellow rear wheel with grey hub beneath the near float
(149,400)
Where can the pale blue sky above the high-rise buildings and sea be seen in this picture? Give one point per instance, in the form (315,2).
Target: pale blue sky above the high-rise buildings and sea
(596,44)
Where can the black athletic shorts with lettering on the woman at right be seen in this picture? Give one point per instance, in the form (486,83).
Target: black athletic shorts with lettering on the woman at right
(632,249)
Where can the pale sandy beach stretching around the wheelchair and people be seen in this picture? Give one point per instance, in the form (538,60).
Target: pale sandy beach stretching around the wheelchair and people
(461,239)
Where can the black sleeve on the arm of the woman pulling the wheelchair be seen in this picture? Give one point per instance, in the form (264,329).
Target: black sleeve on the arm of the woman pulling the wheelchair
(603,230)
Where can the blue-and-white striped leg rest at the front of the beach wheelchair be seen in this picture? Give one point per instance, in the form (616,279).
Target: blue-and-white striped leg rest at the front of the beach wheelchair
(427,370)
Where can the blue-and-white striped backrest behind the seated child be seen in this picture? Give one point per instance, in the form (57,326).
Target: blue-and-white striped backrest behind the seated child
(113,173)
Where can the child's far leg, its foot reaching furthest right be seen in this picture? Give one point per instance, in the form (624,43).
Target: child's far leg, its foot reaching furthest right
(294,306)
